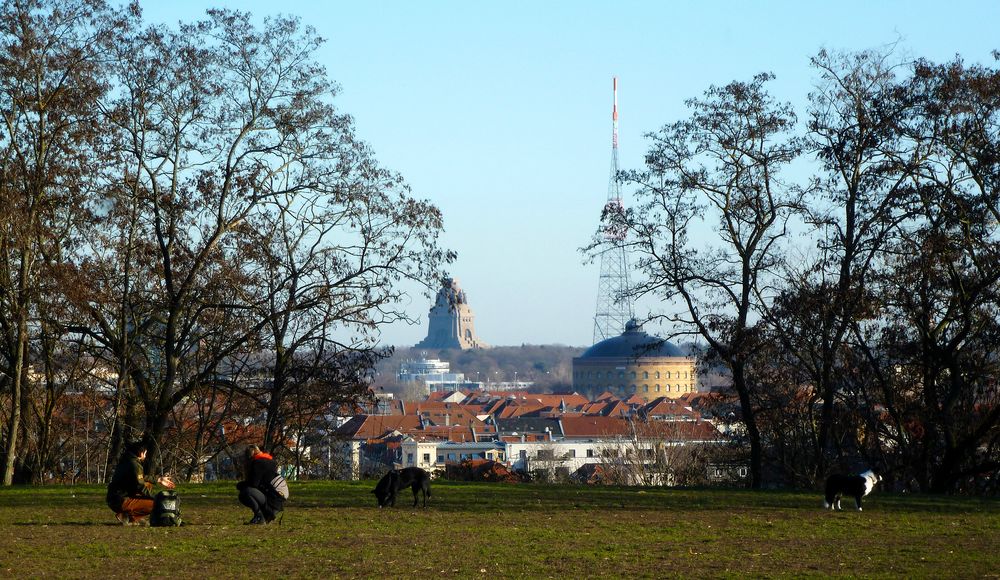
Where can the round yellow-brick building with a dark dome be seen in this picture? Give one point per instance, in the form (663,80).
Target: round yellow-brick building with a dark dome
(635,363)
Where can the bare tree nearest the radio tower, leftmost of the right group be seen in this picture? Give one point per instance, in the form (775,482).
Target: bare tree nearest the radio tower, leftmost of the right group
(718,169)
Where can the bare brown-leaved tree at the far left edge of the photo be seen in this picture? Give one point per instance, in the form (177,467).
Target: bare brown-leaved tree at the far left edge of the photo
(50,79)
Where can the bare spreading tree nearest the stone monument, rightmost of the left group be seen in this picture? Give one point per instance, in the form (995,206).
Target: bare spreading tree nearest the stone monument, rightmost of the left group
(327,264)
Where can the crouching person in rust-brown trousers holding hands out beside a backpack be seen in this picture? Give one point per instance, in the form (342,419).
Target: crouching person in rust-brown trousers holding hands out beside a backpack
(129,494)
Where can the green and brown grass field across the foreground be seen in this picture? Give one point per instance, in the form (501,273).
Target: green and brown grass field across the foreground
(333,529)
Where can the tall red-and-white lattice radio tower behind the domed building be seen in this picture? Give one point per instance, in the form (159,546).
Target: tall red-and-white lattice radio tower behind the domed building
(614,310)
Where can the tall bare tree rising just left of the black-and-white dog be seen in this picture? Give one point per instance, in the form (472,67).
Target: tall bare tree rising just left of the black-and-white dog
(854,129)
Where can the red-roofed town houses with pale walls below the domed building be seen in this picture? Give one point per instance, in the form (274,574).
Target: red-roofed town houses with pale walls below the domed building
(557,436)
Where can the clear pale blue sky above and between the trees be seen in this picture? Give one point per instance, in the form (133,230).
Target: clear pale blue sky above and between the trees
(500,112)
